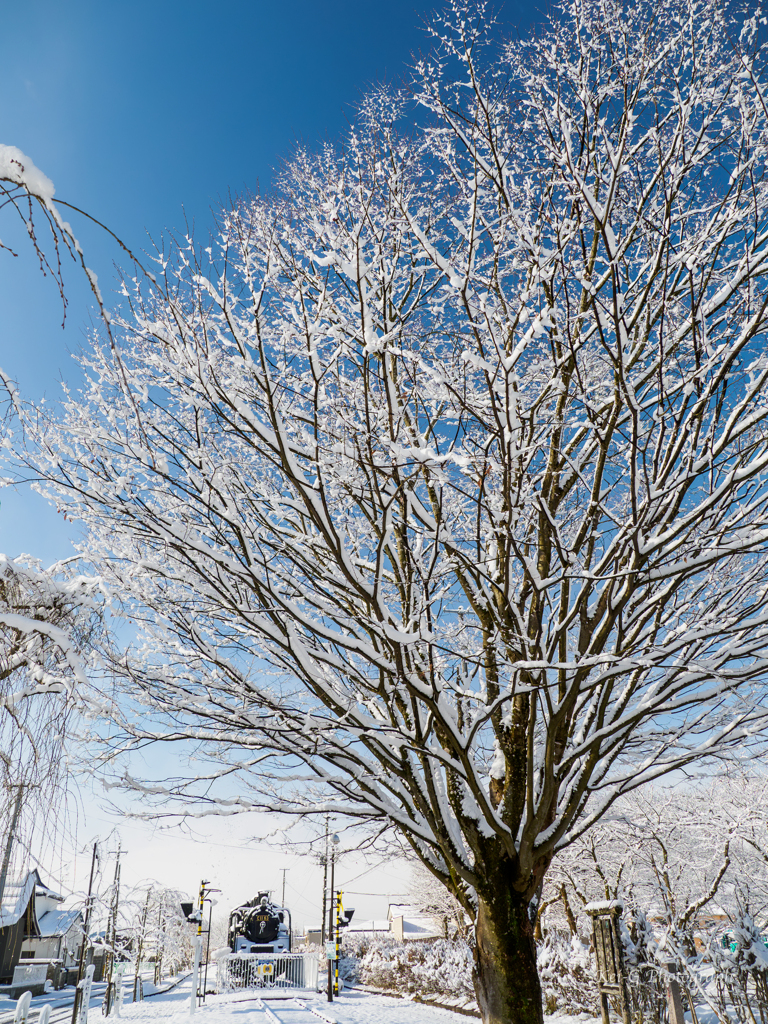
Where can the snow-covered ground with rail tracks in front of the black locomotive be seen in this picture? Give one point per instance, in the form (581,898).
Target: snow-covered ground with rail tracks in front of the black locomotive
(242,1008)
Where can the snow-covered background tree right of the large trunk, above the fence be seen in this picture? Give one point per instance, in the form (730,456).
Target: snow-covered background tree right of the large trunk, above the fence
(681,856)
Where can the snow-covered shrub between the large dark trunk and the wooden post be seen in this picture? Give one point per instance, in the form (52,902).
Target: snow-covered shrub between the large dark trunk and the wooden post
(568,971)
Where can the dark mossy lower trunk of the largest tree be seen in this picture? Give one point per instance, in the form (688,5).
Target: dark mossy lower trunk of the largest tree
(506,976)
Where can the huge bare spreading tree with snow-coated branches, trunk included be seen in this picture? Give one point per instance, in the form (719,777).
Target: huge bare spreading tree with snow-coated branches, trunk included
(439,482)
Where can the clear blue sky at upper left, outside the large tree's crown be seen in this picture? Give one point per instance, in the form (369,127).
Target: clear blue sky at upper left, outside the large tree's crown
(144,112)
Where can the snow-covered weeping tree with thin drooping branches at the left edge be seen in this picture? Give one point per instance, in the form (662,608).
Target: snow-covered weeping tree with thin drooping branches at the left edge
(49,617)
